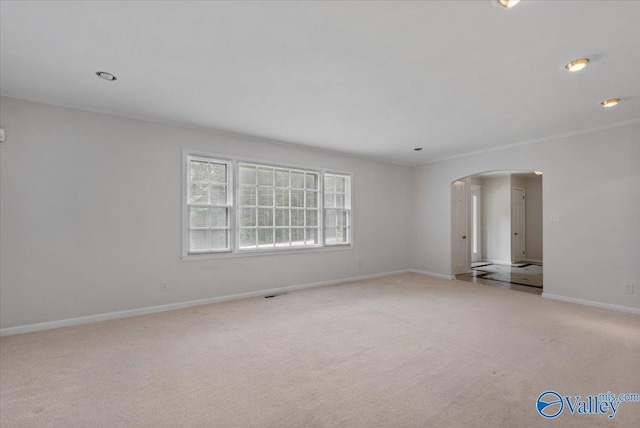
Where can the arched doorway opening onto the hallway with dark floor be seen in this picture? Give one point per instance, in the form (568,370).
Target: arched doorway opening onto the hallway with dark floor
(497,229)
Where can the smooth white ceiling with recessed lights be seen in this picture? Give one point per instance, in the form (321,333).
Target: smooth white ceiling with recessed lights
(375,79)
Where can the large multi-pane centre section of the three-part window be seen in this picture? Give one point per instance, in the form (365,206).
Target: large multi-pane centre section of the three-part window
(278,207)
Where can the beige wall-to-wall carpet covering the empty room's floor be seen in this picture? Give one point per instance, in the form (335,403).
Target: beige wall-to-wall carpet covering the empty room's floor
(401,351)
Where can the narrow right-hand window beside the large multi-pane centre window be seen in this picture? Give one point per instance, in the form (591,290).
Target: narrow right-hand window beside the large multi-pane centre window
(337,209)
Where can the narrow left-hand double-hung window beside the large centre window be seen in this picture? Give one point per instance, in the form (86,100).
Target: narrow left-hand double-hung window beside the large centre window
(208,205)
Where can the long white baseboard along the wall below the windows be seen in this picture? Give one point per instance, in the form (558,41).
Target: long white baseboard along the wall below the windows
(180,305)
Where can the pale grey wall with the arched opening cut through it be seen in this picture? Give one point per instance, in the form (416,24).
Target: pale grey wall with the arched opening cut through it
(591,179)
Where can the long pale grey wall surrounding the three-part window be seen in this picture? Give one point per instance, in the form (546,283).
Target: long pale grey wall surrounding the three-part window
(90,217)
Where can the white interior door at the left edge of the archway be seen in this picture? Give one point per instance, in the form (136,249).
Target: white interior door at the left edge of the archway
(459,225)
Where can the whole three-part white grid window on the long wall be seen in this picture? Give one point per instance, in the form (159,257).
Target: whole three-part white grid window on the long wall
(237,206)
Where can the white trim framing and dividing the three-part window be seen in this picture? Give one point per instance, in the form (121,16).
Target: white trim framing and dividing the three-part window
(234,252)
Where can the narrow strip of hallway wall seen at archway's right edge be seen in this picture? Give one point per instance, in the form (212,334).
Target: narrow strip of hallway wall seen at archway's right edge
(533,214)
